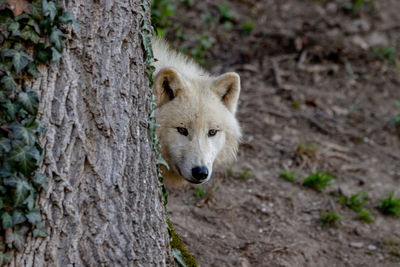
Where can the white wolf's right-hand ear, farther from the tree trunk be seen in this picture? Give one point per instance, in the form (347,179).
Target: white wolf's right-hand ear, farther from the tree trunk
(227,87)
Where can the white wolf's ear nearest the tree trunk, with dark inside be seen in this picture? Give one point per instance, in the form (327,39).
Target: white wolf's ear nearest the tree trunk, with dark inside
(167,84)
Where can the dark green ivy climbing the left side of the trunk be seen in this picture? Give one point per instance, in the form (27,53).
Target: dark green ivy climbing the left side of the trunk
(30,34)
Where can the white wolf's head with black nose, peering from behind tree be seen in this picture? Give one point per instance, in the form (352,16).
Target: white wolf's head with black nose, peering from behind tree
(198,129)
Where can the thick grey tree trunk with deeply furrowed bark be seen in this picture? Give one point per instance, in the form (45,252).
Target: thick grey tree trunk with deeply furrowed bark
(103,206)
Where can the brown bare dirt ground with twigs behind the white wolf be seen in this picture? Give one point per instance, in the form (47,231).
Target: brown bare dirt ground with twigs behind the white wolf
(314,97)
